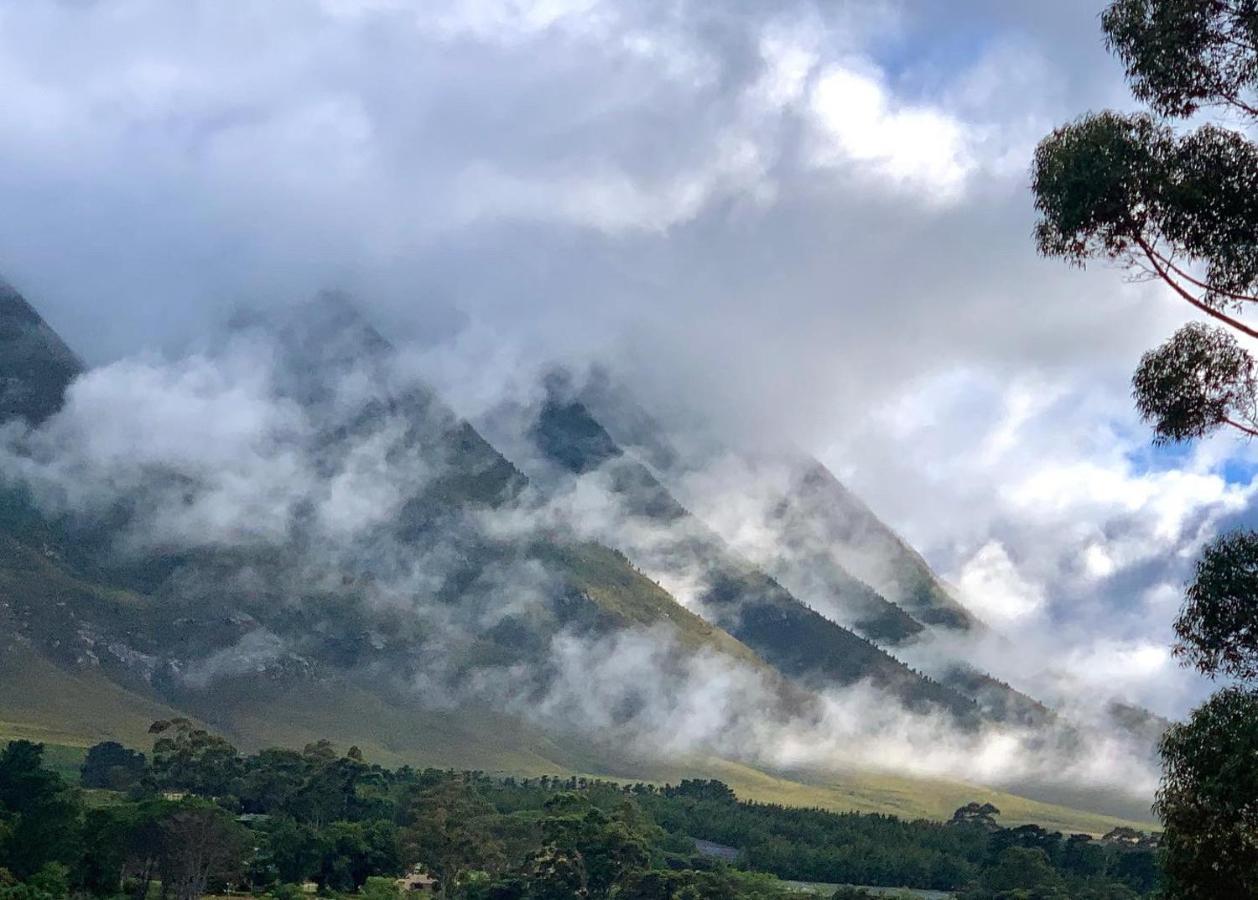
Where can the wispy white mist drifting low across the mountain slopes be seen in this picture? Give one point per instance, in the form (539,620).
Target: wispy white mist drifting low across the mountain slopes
(226,451)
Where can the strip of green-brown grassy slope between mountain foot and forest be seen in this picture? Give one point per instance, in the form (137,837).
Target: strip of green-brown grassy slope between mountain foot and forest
(70,711)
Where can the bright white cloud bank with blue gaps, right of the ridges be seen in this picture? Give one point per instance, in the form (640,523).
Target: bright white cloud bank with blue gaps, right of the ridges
(1051,515)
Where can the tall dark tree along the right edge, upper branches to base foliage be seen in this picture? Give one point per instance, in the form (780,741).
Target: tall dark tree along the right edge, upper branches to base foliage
(1178,202)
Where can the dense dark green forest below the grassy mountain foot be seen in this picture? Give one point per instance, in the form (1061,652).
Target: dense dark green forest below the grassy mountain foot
(196,818)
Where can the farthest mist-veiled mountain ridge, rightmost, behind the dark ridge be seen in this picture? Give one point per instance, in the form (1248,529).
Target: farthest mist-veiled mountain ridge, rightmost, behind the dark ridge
(811,534)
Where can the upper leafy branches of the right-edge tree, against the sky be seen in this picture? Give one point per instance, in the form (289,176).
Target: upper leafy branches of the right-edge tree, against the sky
(1176,206)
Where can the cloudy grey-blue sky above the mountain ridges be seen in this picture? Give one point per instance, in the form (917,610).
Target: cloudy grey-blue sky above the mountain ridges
(806,220)
